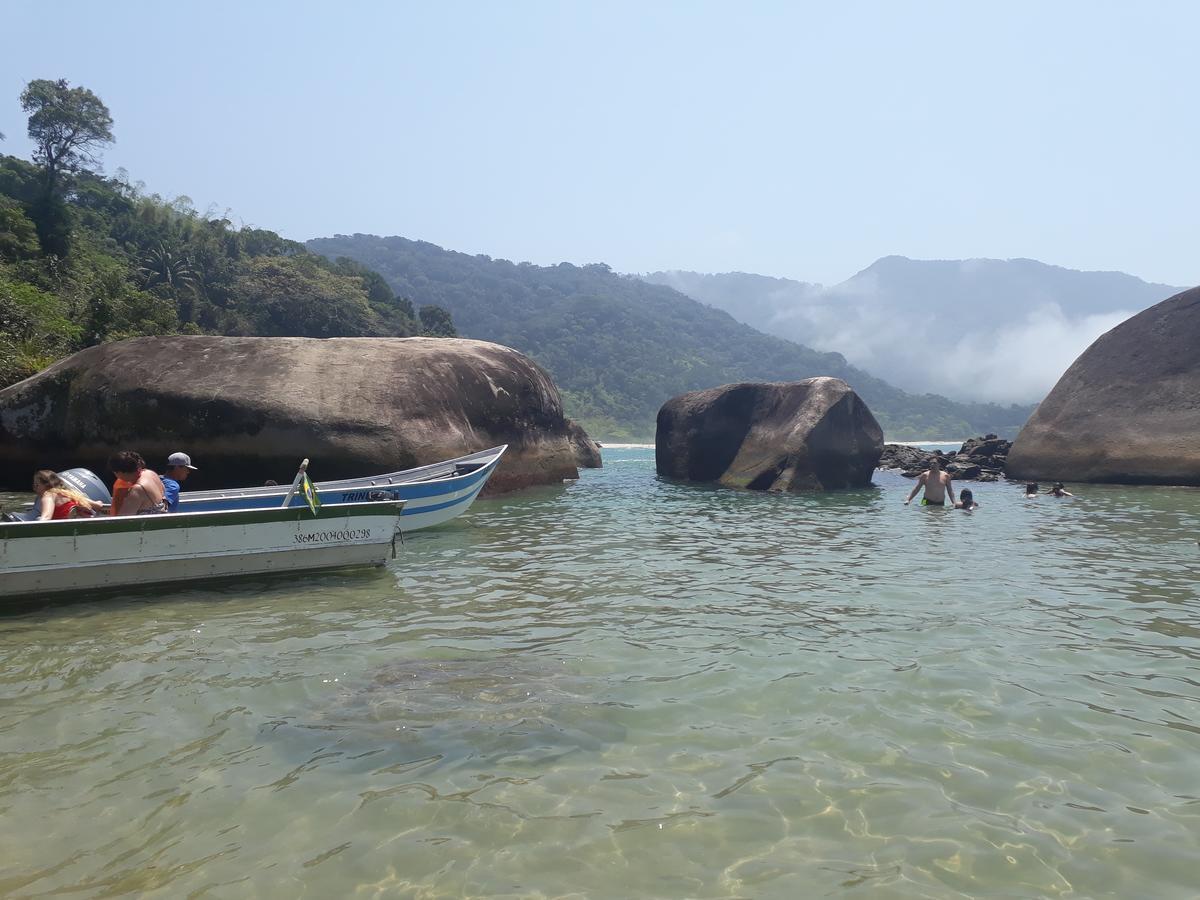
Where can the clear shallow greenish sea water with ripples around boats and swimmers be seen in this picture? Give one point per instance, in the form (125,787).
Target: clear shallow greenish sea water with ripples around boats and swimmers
(629,688)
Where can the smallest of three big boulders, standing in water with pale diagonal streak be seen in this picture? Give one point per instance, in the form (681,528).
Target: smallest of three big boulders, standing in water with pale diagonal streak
(814,435)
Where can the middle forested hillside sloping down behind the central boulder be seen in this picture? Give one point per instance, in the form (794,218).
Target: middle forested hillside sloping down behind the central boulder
(620,347)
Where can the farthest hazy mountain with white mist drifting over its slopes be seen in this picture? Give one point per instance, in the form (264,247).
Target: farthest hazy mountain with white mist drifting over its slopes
(1000,331)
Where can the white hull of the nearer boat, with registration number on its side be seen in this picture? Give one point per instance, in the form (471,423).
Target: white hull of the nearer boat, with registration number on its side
(111,553)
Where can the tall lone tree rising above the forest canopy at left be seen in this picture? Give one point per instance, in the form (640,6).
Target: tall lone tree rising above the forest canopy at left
(68,127)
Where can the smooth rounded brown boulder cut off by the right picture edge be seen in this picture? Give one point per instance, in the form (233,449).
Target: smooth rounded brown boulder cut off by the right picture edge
(1127,411)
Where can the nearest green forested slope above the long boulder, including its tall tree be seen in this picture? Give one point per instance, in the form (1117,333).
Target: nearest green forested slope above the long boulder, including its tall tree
(86,259)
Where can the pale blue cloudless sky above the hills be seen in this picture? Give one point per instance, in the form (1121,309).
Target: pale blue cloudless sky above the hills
(793,140)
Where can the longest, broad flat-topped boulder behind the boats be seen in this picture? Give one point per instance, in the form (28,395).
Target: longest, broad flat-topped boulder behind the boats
(249,409)
